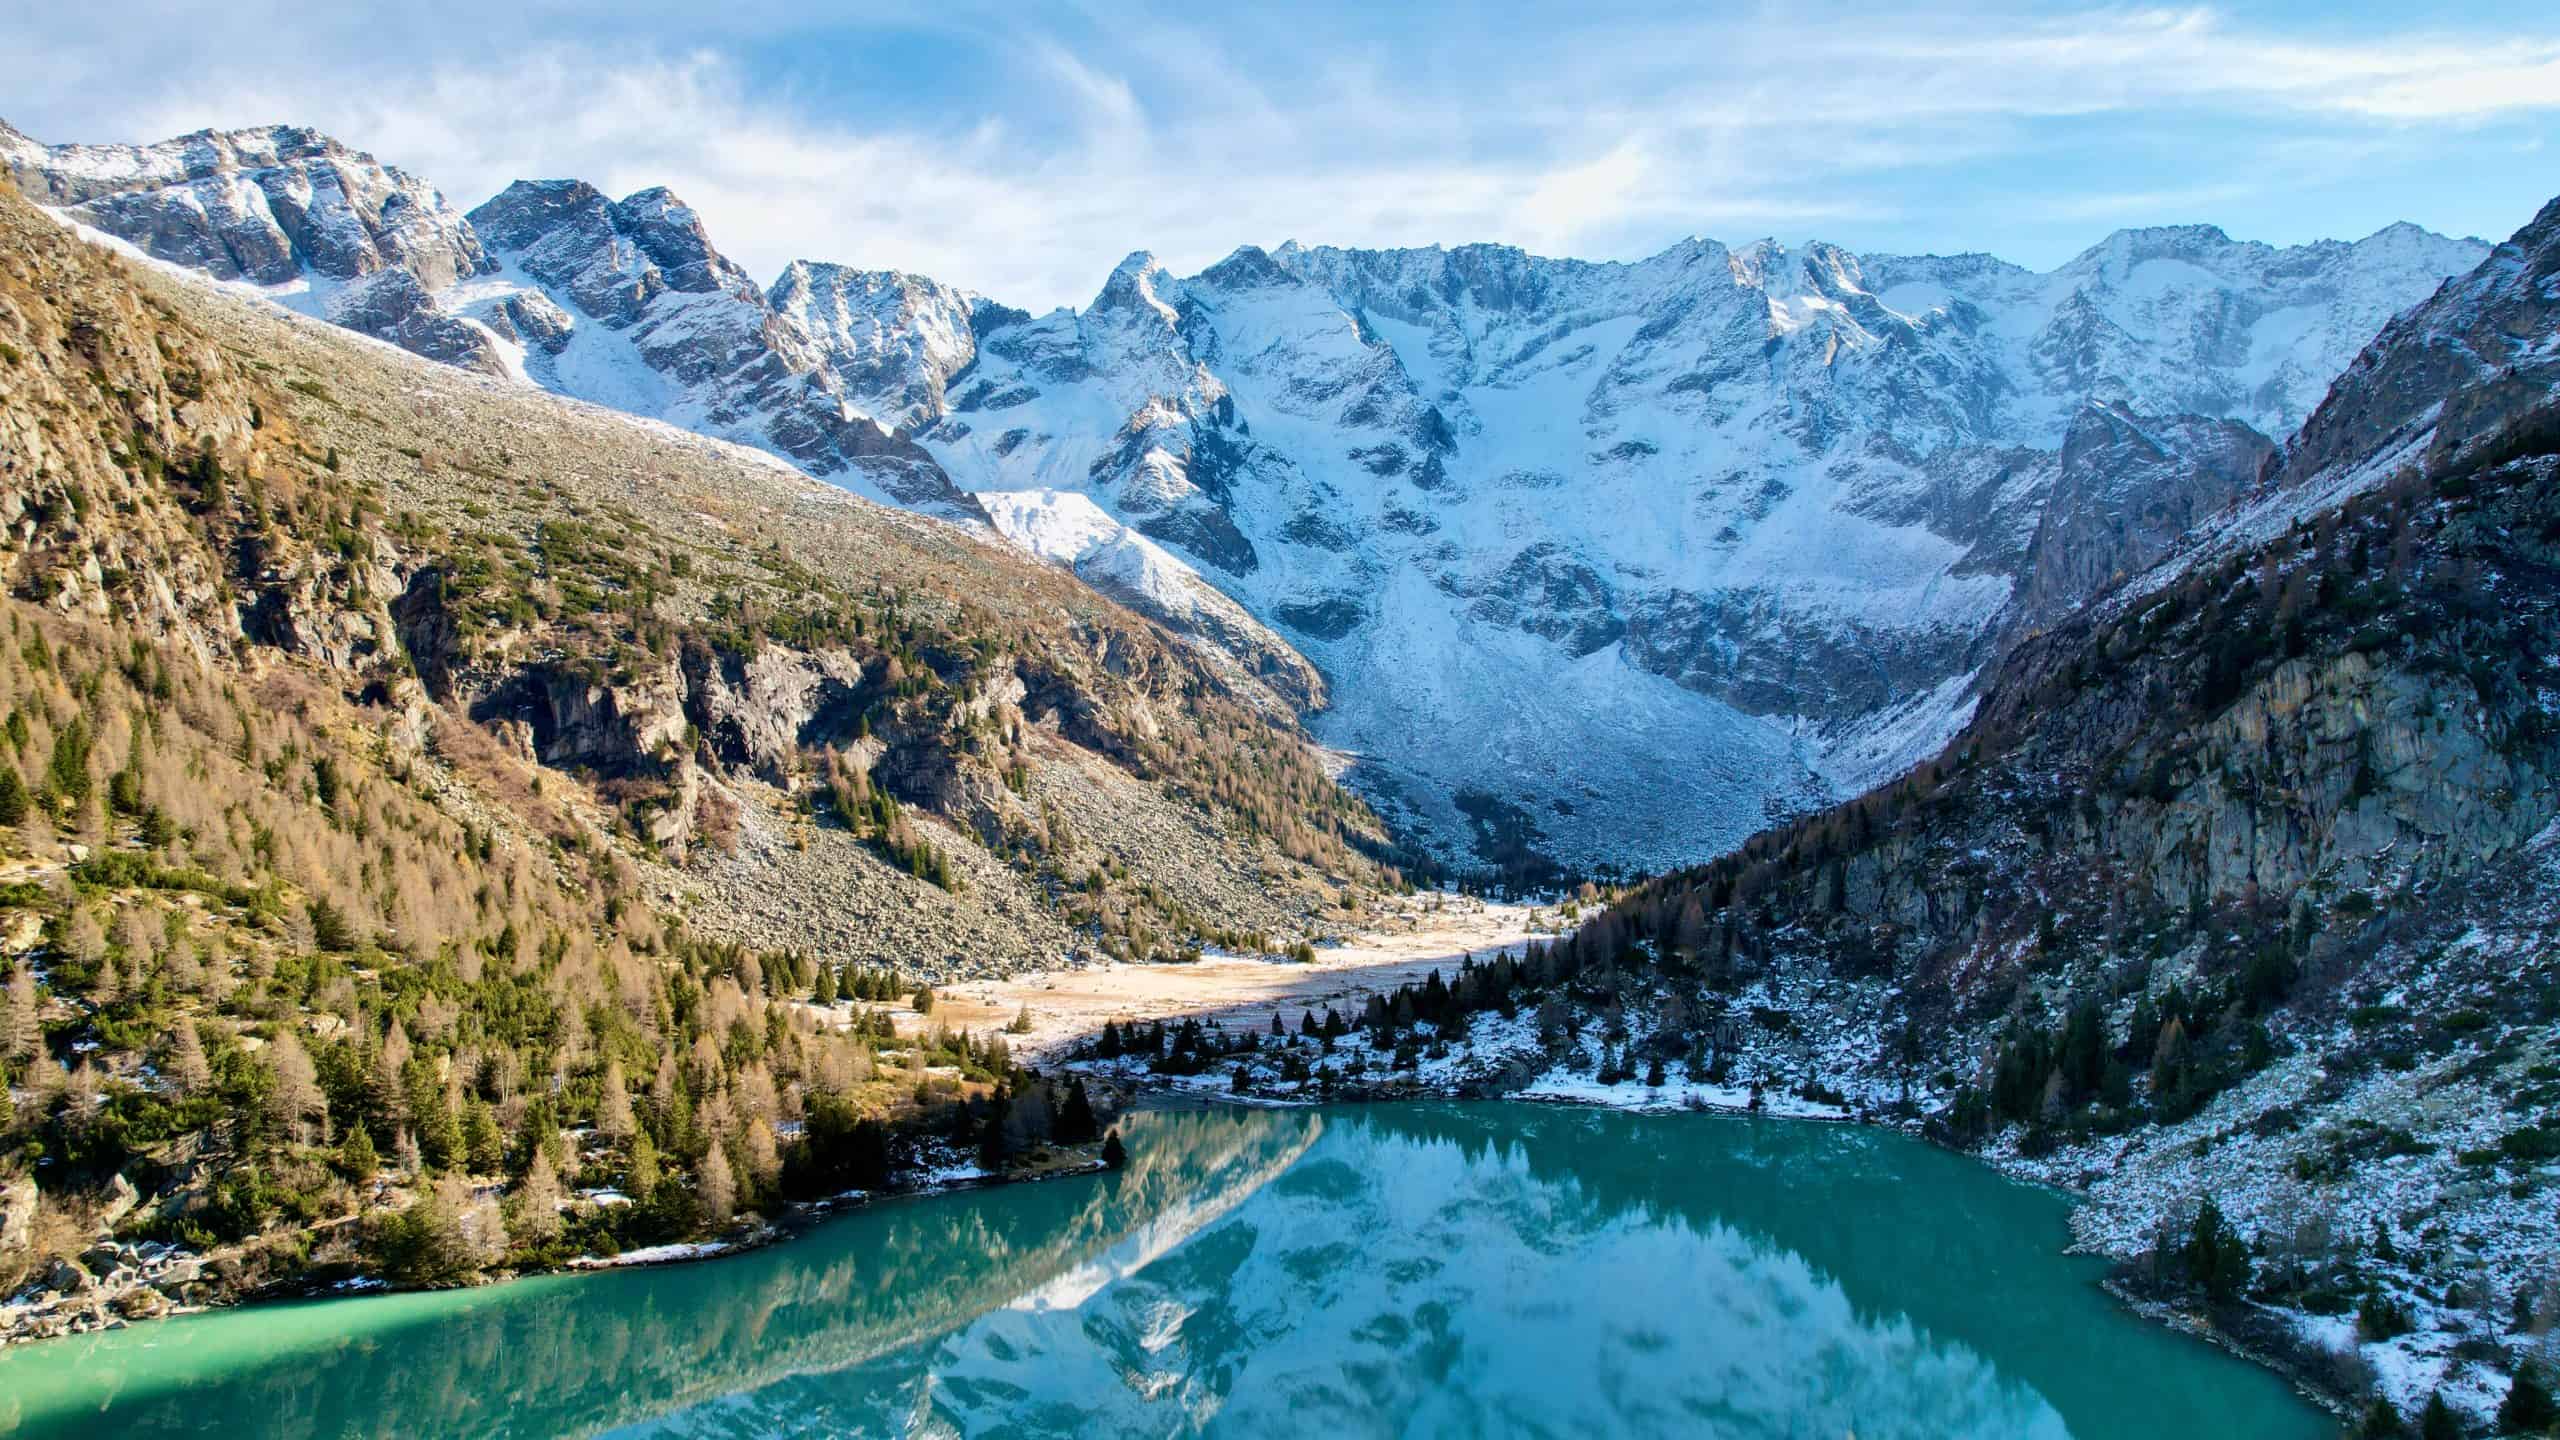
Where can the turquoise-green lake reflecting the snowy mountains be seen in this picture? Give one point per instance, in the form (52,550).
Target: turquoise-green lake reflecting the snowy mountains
(1417,1270)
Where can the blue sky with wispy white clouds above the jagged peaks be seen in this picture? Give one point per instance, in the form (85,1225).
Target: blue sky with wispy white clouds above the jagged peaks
(1025,150)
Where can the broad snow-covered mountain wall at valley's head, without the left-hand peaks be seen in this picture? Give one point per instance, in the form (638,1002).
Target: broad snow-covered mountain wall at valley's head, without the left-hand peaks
(1647,550)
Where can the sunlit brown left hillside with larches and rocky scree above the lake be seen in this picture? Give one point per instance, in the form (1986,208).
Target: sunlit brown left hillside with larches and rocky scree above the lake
(452,829)
